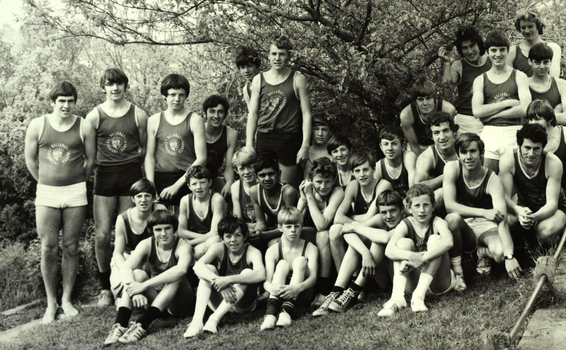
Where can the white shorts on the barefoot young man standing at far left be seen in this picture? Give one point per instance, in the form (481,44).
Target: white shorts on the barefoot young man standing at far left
(61,197)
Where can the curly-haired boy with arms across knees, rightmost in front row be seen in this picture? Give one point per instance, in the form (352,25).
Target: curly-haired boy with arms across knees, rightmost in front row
(419,250)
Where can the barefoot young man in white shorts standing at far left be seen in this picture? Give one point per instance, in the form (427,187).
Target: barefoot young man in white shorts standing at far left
(59,154)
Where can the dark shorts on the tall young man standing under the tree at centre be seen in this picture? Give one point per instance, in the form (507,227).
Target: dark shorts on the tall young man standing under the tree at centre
(283,147)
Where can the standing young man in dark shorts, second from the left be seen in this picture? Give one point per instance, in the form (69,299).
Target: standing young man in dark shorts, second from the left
(121,137)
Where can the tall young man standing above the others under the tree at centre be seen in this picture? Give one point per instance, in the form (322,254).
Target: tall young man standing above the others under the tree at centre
(280,113)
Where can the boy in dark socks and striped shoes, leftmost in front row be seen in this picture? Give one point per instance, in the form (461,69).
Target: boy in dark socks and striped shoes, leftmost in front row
(165,289)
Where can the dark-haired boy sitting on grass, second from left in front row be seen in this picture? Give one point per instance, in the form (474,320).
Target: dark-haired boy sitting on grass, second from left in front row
(229,275)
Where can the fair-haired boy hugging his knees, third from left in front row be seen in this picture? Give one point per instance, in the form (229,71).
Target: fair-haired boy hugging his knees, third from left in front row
(291,267)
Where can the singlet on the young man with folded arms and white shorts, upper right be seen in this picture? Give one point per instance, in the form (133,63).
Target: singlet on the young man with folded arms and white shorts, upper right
(500,92)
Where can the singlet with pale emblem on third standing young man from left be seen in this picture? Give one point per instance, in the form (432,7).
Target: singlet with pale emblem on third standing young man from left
(175,145)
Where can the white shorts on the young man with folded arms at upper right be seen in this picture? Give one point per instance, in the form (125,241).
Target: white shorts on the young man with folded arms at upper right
(498,139)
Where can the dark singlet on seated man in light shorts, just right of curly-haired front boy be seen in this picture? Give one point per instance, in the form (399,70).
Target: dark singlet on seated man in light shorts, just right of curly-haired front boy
(477,196)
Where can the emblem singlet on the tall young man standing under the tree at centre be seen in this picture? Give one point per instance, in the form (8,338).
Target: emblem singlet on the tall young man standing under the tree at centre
(279,109)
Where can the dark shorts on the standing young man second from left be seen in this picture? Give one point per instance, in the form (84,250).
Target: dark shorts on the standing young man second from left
(116,180)
